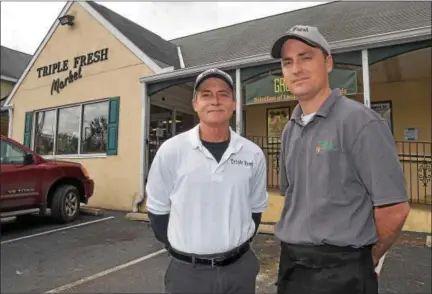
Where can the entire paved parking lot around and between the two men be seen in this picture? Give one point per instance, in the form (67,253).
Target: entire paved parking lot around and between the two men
(109,254)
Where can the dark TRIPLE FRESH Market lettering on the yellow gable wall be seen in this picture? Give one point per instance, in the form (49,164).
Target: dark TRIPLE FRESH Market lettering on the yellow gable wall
(74,68)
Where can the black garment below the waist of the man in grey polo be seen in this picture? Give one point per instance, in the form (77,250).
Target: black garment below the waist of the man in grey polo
(326,270)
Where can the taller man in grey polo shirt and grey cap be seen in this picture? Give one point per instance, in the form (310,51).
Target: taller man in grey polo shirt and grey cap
(345,194)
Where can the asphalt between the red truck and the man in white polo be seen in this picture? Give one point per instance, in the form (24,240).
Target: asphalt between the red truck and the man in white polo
(44,262)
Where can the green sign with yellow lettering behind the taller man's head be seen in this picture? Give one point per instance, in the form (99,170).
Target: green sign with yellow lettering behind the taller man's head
(272,88)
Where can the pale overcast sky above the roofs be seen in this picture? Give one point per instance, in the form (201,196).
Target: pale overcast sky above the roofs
(23,29)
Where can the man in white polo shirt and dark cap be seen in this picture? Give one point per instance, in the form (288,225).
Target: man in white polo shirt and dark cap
(206,192)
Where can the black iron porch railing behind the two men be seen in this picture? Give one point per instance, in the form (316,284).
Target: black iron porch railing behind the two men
(415,158)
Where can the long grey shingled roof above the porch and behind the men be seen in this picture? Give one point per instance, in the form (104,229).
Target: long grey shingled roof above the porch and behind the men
(338,20)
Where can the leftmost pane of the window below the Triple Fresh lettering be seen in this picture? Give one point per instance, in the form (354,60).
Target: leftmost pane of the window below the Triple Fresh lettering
(45,132)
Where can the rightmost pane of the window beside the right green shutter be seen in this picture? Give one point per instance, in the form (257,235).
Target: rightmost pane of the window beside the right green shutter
(95,128)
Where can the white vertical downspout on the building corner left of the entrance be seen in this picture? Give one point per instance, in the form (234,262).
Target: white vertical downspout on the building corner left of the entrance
(143,149)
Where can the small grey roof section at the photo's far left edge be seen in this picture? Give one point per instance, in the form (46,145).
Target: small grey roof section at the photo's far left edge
(13,63)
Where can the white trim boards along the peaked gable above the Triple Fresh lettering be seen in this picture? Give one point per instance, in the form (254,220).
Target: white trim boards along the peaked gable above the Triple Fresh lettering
(97,16)
